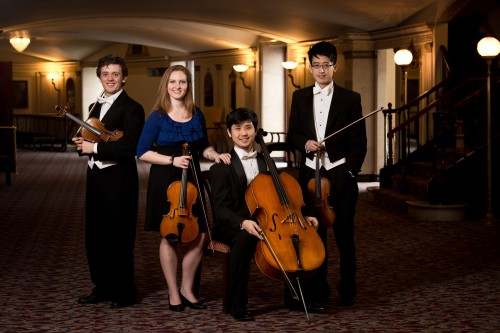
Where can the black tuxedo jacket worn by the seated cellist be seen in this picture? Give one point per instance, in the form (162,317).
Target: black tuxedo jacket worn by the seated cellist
(229,184)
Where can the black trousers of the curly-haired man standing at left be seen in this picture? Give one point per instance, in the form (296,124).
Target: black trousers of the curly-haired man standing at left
(110,228)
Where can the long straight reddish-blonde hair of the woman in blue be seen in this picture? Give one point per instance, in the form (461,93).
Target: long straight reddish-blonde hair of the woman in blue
(163,103)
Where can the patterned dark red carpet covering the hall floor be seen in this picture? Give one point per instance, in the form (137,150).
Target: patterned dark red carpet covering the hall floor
(414,276)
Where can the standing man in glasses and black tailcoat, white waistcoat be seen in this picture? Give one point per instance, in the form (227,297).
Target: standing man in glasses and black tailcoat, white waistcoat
(316,112)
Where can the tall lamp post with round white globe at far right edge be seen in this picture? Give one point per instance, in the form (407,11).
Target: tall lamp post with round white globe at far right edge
(488,48)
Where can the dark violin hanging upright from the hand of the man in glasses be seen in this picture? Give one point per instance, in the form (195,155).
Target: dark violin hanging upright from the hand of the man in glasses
(319,190)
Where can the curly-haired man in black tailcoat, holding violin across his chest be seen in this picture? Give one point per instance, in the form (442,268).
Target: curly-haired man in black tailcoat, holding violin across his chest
(112,191)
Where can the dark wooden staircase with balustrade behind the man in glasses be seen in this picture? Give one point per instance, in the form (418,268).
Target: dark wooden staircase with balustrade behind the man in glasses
(441,154)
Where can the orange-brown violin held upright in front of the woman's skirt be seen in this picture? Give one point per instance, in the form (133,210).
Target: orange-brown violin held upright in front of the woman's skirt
(180,225)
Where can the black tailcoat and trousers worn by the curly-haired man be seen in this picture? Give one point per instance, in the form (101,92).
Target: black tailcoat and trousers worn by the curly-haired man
(112,200)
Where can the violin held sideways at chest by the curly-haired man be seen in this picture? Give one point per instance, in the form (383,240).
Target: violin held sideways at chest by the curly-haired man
(93,129)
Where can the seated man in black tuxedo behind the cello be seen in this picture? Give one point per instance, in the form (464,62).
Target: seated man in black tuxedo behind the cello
(234,224)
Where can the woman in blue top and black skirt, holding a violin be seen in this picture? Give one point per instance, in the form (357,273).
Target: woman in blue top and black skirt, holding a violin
(175,121)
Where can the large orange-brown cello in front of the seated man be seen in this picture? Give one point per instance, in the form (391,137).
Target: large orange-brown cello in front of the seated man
(289,246)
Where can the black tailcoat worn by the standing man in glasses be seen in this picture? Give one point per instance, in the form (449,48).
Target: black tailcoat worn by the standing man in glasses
(344,109)
